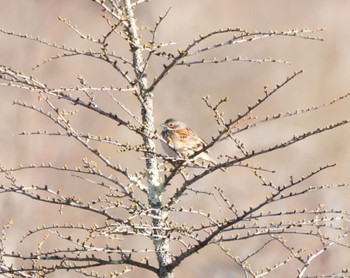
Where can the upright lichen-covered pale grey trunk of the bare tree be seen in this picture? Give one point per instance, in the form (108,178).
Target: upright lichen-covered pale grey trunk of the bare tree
(160,240)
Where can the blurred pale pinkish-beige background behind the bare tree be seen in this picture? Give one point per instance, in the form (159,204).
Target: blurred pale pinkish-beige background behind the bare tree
(325,77)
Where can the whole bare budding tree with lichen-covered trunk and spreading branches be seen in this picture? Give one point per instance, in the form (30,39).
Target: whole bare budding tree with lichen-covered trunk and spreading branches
(146,203)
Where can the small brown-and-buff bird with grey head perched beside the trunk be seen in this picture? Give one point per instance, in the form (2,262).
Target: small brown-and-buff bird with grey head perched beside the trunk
(181,141)
